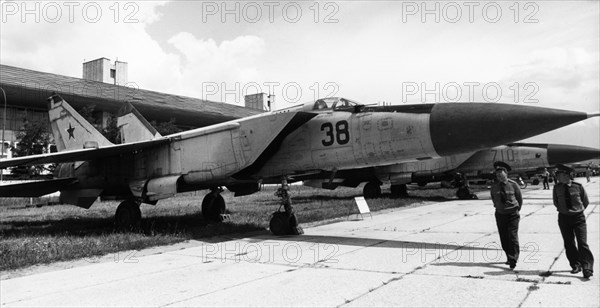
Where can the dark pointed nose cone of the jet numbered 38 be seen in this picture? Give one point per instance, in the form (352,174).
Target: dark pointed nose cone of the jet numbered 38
(466,127)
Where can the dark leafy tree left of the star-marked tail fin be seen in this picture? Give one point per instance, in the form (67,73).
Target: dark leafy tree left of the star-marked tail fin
(33,139)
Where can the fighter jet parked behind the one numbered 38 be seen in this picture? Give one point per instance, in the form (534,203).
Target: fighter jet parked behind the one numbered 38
(525,159)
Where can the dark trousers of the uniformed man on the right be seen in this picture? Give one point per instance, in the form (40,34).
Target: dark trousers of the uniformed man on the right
(574,227)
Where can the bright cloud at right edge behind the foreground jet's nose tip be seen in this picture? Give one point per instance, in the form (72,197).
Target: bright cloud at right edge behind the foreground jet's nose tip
(566,78)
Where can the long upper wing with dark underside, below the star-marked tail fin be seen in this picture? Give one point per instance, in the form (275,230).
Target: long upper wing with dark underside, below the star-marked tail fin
(82,154)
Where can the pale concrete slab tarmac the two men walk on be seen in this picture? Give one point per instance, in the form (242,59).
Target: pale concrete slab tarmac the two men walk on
(439,255)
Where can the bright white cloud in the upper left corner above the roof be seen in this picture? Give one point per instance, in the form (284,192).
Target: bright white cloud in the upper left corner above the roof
(106,29)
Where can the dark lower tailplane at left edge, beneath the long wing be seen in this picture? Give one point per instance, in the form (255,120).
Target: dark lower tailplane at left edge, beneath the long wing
(35,189)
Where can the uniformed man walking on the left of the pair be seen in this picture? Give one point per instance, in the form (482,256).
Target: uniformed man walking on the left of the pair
(507,199)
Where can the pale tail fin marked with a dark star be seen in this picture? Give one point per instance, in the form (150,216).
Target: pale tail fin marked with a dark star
(71,131)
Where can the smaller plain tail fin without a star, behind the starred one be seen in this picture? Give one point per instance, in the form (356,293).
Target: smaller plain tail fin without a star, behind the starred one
(133,126)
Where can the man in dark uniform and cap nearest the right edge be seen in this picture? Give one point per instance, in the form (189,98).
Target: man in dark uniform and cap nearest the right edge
(571,200)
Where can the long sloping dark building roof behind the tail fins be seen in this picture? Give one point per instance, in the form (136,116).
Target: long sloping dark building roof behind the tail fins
(30,89)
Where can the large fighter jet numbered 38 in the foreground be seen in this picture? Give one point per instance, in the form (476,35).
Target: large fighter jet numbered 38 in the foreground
(326,135)
